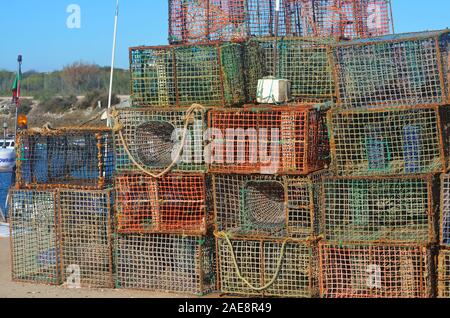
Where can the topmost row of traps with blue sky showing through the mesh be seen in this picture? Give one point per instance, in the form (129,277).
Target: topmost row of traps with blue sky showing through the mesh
(226,20)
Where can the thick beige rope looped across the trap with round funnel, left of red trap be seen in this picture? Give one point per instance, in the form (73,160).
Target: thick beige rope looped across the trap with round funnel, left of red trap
(118,127)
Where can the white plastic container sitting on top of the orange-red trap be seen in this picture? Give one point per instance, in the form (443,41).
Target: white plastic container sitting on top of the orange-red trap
(273,90)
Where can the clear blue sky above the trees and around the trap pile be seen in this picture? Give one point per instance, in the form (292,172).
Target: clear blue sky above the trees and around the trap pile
(37,29)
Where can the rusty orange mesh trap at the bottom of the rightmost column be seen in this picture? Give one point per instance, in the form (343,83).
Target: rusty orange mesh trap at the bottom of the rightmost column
(373,271)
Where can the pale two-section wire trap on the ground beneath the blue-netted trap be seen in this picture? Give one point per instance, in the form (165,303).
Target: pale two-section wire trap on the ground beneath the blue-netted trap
(62,236)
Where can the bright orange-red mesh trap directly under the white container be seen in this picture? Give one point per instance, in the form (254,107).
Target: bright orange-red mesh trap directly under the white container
(273,140)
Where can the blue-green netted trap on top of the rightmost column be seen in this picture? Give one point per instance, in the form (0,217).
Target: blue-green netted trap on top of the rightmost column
(408,69)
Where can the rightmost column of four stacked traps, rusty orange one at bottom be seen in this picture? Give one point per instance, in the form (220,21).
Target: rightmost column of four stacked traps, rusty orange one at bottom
(388,131)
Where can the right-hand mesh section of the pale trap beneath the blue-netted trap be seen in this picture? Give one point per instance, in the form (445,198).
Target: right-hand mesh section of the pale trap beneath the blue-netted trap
(85,236)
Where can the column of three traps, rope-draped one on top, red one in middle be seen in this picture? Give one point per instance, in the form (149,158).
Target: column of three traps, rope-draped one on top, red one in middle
(163,240)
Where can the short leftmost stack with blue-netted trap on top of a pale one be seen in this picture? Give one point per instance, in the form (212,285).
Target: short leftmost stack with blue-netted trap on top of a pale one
(61,210)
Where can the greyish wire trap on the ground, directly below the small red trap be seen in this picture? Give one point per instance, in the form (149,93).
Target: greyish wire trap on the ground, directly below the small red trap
(165,263)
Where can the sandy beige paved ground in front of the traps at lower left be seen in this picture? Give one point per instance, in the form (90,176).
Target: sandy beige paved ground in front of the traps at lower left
(8,289)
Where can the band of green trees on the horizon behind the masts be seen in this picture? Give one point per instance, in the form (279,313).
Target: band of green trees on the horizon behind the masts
(76,79)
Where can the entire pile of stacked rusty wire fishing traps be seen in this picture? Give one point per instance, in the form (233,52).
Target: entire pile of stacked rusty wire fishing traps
(334,190)
